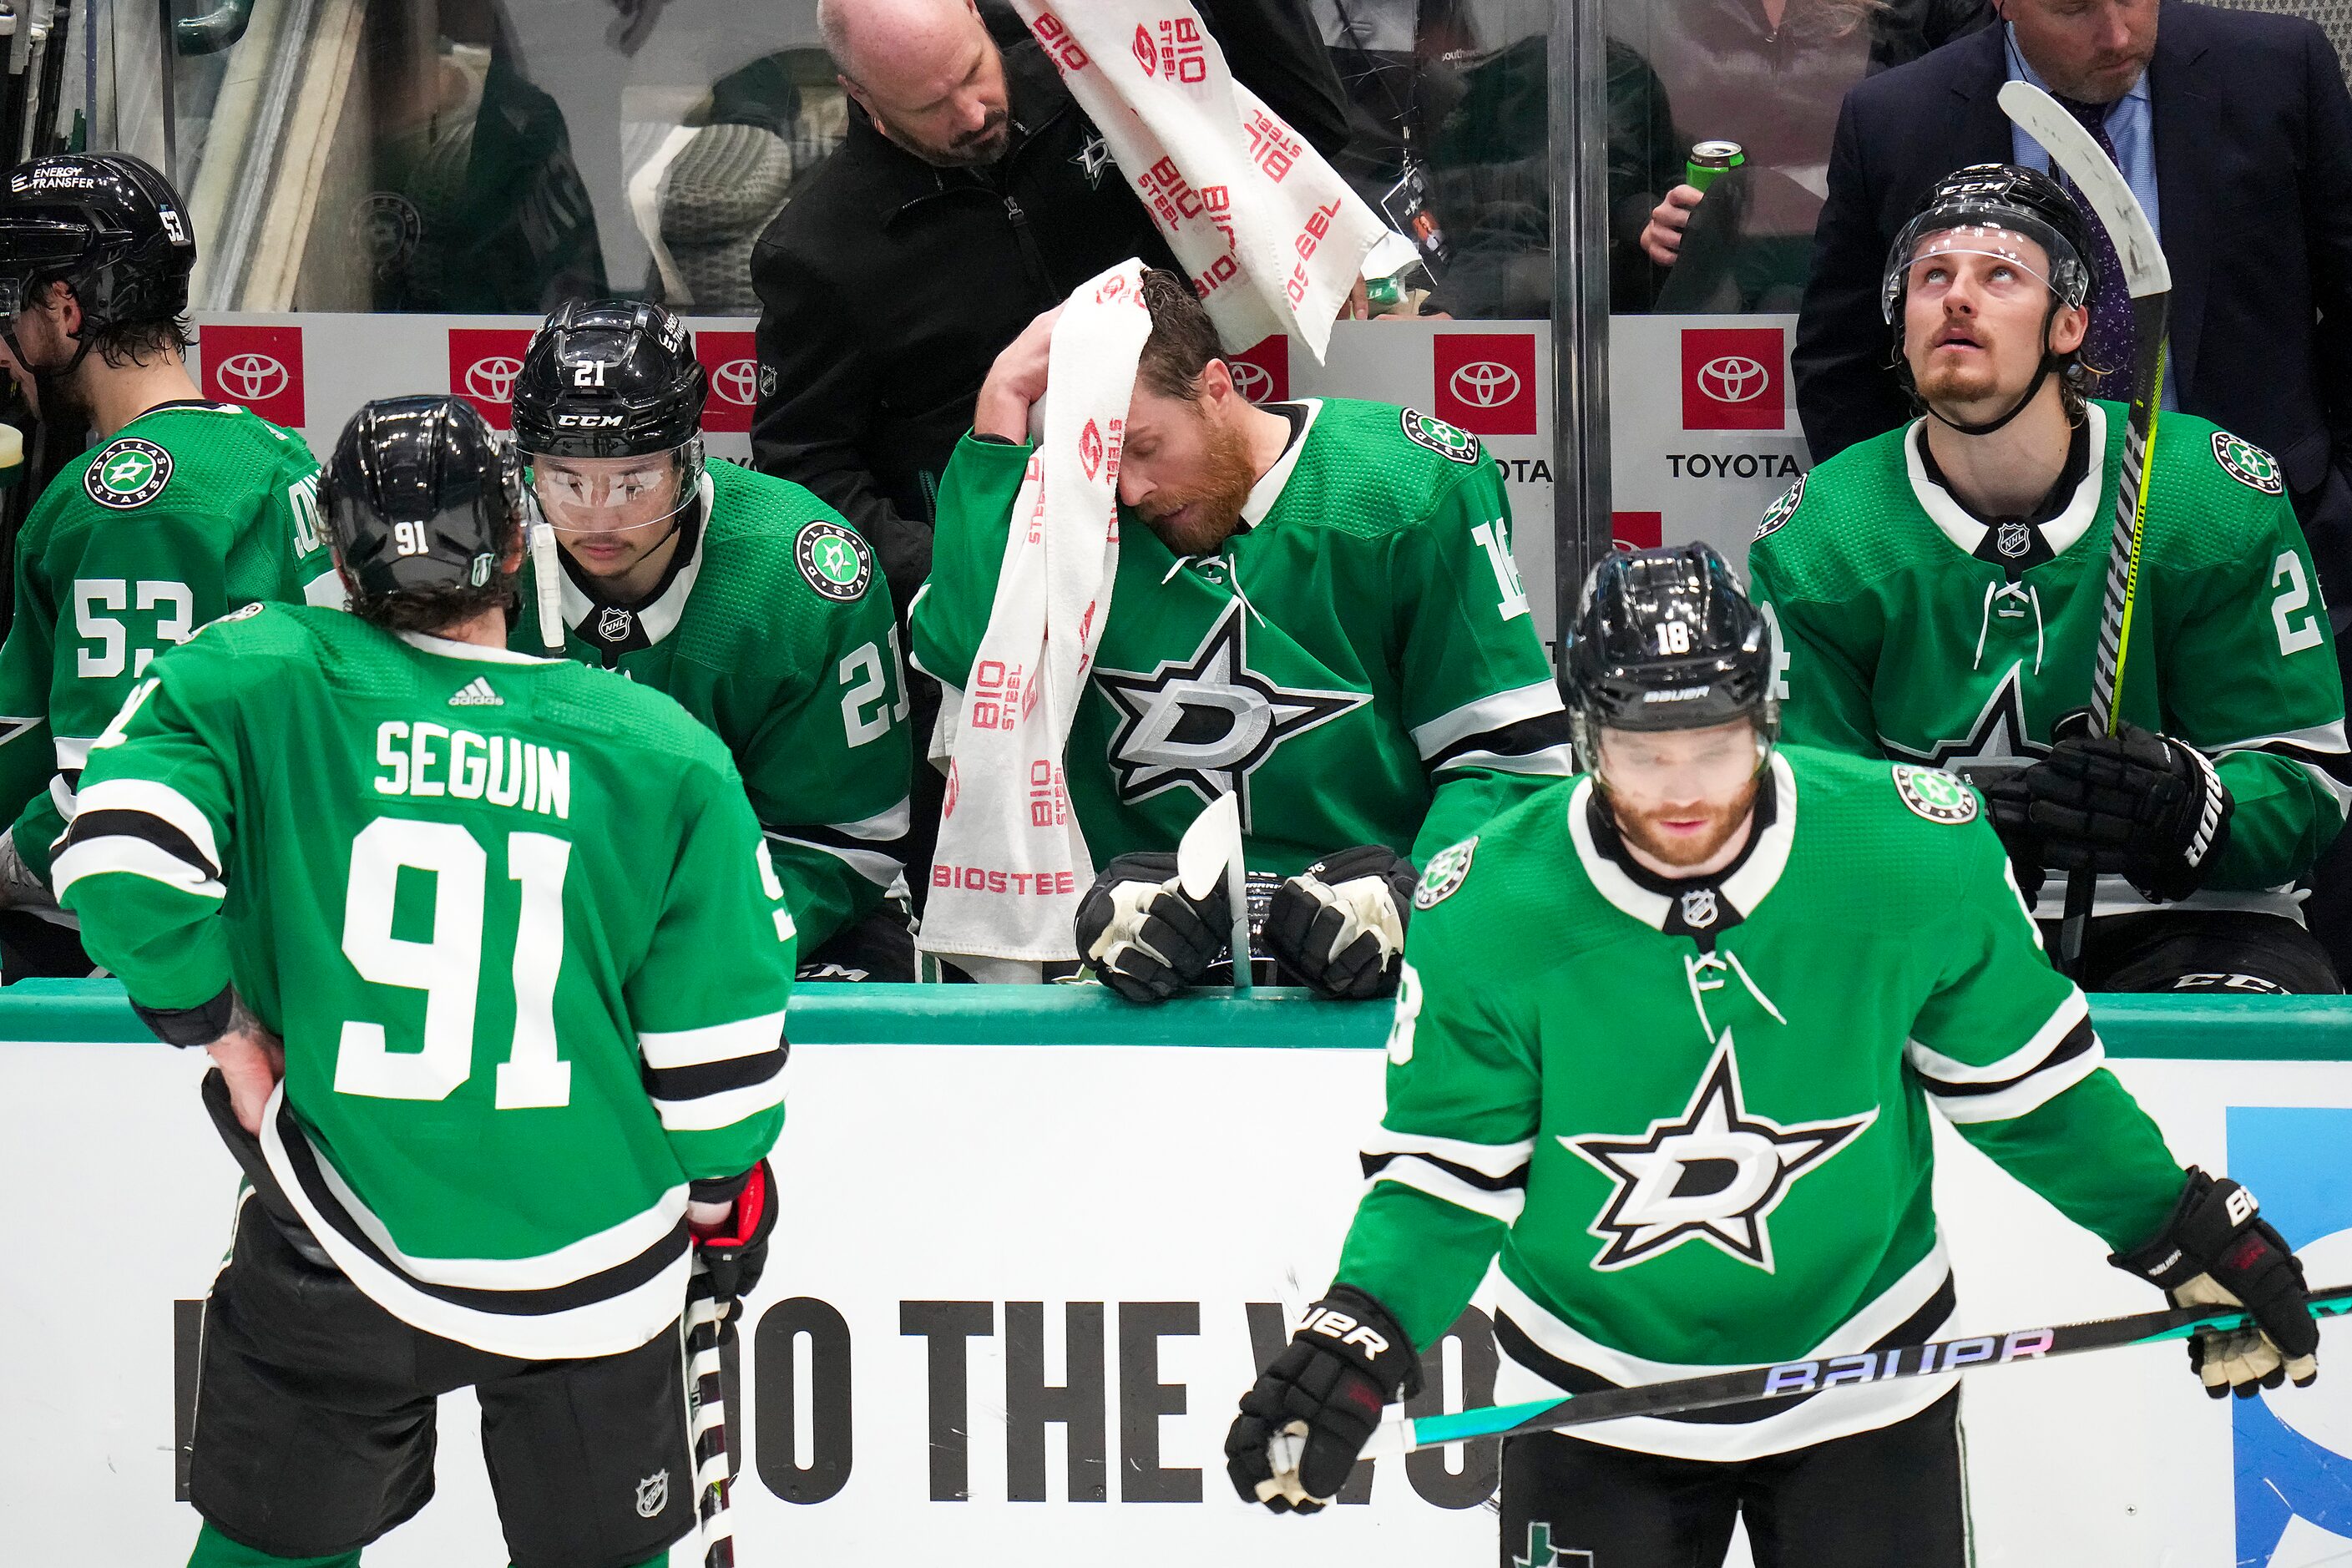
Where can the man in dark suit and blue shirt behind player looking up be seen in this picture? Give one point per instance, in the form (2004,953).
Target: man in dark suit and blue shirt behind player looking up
(2236,133)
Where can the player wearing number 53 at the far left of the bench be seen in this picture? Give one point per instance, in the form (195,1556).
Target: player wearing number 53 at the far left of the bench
(189,509)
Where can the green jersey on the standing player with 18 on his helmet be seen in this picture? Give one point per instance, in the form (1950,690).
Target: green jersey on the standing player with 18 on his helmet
(1695,1115)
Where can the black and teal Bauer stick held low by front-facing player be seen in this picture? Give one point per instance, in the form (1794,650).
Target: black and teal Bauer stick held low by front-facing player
(1793,1379)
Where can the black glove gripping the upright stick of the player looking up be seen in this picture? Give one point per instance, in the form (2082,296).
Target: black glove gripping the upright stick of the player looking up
(2134,803)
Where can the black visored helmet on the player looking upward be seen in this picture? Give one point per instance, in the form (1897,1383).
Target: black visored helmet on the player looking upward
(1984,210)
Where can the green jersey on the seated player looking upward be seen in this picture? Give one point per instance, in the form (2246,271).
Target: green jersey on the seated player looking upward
(1913,631)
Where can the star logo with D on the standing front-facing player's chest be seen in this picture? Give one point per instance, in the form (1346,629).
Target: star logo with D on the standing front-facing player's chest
(1711,1174)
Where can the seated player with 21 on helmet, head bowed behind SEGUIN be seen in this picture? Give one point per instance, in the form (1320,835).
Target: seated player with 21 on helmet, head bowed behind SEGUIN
(742,596)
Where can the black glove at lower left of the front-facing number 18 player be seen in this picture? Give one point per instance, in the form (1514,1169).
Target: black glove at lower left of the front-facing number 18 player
(1318,1402)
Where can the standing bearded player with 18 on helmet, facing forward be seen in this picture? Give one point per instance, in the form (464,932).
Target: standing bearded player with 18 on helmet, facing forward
(1666,1047)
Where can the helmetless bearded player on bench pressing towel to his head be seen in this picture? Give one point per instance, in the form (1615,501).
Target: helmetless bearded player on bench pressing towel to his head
(1316,610)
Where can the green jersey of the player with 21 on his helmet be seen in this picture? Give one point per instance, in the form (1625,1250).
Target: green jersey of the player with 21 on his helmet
(777,634)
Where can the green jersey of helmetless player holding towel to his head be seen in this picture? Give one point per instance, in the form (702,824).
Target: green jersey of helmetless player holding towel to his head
(1358,662)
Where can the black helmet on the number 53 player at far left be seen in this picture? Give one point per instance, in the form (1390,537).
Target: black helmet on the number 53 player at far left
(105,225)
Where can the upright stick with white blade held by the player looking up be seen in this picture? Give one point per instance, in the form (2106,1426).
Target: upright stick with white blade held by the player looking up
(2151,286)
